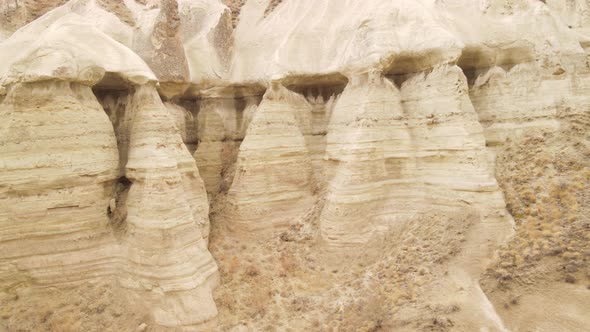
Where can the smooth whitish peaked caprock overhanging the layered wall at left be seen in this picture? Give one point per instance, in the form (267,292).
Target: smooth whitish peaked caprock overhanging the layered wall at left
(63,45)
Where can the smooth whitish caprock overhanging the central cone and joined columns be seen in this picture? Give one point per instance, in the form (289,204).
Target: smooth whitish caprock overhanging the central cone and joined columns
(328,36)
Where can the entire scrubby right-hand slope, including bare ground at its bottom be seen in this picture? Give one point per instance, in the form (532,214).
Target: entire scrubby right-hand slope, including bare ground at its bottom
(546,180)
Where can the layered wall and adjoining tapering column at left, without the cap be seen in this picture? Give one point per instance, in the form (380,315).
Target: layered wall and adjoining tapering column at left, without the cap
(82,223)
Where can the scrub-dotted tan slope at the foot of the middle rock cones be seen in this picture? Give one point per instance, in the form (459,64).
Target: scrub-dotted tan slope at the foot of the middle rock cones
(292,284)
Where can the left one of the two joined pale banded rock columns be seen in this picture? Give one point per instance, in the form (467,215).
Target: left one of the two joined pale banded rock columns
(367,150)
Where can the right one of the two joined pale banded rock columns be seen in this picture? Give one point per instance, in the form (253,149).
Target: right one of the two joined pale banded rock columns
(450,148)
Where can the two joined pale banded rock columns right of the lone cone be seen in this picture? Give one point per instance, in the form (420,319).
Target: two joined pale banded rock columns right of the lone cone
(396,156)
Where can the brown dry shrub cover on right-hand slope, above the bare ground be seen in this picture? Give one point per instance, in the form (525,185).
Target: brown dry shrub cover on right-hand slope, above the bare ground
(547,191)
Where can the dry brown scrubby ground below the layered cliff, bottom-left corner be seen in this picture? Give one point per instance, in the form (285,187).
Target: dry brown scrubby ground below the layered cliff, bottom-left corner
(94,306)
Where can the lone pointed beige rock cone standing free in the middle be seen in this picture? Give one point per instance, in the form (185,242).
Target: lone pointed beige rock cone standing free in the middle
(273,184)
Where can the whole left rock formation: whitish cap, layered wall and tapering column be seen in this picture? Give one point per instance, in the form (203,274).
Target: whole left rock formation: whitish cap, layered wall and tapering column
(101,211)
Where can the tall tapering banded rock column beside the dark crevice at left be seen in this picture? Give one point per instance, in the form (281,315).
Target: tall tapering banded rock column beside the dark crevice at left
(167,220)
